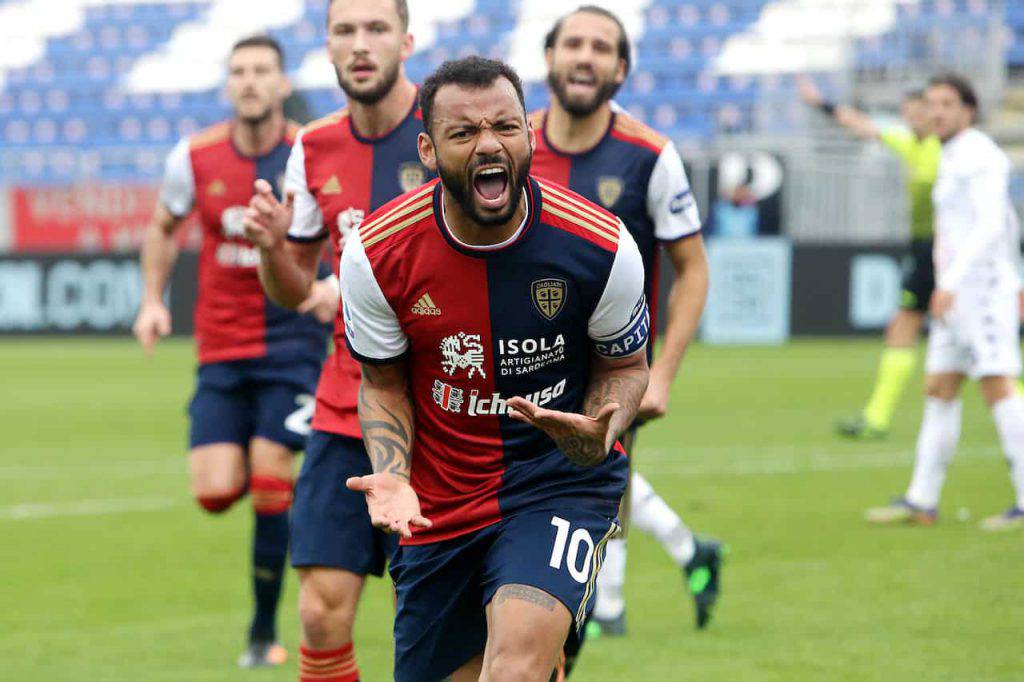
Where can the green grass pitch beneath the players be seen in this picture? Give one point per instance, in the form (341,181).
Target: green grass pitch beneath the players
(110,572)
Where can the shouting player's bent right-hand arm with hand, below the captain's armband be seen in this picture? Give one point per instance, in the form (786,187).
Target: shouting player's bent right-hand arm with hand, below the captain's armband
(610,407)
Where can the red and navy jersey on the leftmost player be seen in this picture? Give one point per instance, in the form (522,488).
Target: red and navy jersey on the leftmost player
(234,320)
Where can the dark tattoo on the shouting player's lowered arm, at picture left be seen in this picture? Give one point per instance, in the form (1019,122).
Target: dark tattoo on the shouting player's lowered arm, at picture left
(387,433)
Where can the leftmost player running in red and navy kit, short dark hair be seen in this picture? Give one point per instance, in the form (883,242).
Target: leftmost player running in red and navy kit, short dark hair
(259,363)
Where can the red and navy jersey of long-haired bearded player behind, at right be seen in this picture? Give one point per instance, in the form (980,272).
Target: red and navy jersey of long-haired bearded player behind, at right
(633,173)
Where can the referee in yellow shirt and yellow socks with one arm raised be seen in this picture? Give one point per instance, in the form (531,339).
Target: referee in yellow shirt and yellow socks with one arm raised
(919,150)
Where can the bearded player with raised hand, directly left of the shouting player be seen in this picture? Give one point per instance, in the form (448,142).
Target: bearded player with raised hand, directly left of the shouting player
(343,168)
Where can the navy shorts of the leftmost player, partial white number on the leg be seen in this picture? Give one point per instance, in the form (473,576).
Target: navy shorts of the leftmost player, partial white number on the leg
(236,401)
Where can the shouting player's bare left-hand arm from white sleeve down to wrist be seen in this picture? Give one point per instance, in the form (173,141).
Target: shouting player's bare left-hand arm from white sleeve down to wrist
(387,418)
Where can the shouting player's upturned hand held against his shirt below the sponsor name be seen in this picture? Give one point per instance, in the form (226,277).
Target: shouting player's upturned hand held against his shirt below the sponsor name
(586,441)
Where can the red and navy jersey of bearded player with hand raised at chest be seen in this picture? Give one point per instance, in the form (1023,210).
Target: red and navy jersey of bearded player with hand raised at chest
(339,178)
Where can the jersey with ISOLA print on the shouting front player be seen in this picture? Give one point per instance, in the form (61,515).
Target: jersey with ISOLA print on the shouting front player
(479,326)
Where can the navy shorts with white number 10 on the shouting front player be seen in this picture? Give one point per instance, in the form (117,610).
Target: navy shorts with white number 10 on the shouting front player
(444,587)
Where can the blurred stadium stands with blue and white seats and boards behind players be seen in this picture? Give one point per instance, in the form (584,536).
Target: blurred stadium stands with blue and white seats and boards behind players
(94,94)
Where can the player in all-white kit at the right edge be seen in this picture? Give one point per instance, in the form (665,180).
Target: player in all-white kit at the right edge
(974,308)
